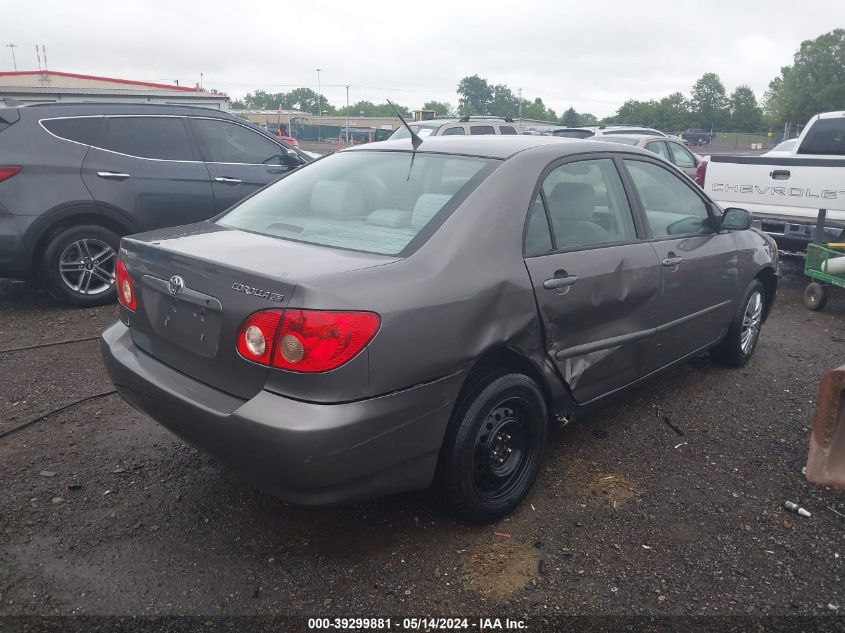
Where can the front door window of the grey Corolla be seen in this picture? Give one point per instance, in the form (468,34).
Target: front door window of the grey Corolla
(671,206)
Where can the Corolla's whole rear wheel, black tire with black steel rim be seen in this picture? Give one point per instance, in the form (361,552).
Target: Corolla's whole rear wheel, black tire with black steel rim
(493,447)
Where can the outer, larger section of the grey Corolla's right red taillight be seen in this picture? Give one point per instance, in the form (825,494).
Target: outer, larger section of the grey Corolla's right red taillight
(313,341)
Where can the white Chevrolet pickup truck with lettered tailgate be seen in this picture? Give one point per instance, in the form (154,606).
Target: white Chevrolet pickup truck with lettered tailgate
(784,193)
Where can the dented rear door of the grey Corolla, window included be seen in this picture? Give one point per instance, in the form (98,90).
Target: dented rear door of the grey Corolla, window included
(595,276)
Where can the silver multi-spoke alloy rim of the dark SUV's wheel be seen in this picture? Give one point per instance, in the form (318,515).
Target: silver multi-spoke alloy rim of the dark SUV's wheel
(86,266)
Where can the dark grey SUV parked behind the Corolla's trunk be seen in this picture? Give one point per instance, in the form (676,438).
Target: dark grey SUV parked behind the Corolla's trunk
(74,178)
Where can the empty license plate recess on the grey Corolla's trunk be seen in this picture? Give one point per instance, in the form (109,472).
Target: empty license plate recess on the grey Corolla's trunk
(190,320)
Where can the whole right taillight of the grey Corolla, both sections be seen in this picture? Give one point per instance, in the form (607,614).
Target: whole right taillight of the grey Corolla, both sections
(307,341)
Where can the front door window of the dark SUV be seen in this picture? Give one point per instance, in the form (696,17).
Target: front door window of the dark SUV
(225,142)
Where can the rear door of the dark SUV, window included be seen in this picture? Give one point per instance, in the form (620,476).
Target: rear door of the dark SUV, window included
(149,168)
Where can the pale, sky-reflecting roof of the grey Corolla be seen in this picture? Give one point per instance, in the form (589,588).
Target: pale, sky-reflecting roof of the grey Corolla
(491,145)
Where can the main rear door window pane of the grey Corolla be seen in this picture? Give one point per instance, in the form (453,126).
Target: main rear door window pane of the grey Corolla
(587,204)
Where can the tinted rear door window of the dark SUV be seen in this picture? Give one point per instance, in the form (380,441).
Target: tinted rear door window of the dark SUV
(162,138)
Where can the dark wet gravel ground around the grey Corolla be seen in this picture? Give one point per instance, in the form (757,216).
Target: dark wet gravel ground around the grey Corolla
(104,512)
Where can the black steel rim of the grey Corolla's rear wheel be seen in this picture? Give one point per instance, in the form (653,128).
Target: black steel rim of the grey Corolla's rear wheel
(501,455)
